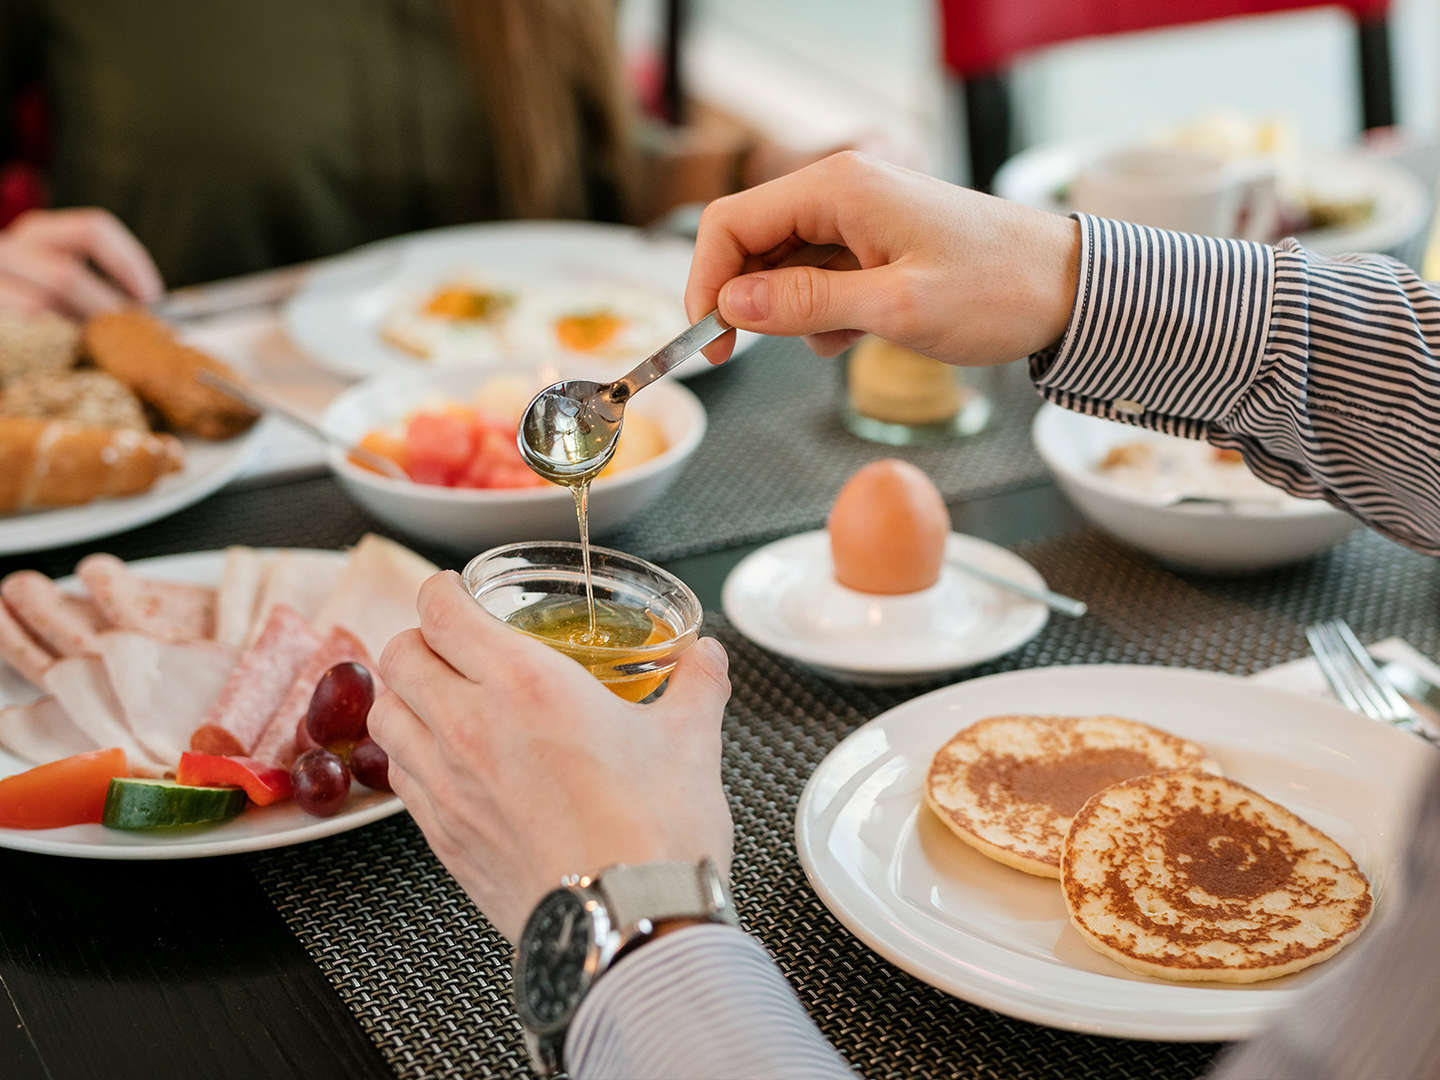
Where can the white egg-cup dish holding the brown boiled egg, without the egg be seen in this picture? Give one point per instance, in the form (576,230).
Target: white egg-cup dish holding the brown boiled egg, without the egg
(786,598)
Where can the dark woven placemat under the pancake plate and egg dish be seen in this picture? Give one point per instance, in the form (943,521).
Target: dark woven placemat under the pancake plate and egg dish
(428,978)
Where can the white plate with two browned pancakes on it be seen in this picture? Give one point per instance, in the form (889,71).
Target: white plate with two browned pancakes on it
(1130,852)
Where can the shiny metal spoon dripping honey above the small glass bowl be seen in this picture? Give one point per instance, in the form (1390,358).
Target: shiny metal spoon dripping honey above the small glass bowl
(570,431)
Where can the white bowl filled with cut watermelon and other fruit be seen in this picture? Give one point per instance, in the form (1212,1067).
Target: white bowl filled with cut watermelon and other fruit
(495,499)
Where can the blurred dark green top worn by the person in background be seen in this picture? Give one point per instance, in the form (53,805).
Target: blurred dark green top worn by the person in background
(240,135)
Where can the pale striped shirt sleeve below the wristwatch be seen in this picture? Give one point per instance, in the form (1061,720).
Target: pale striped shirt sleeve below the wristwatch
(699,1003)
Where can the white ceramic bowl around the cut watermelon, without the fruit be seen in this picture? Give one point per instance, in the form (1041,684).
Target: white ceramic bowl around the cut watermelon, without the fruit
(473,521)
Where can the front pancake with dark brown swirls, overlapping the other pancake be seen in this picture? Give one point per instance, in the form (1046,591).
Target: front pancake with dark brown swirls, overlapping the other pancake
(1187,876)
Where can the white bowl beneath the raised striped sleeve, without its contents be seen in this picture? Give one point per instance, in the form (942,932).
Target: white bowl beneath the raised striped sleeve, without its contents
(1196,538)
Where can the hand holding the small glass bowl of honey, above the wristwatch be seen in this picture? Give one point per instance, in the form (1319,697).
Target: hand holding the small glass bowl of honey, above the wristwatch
(521,767)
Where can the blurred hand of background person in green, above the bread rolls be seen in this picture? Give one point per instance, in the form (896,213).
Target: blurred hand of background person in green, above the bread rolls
(77,263)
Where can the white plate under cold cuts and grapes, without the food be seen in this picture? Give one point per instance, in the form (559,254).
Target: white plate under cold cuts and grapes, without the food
(256,830)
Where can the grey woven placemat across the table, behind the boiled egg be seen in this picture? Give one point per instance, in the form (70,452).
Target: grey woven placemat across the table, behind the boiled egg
(777,453)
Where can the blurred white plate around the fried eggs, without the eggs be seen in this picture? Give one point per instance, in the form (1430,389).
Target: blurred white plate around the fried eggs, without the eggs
(339,313)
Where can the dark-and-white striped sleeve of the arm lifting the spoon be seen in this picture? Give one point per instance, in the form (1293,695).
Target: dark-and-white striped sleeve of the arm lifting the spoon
(1324,374)
